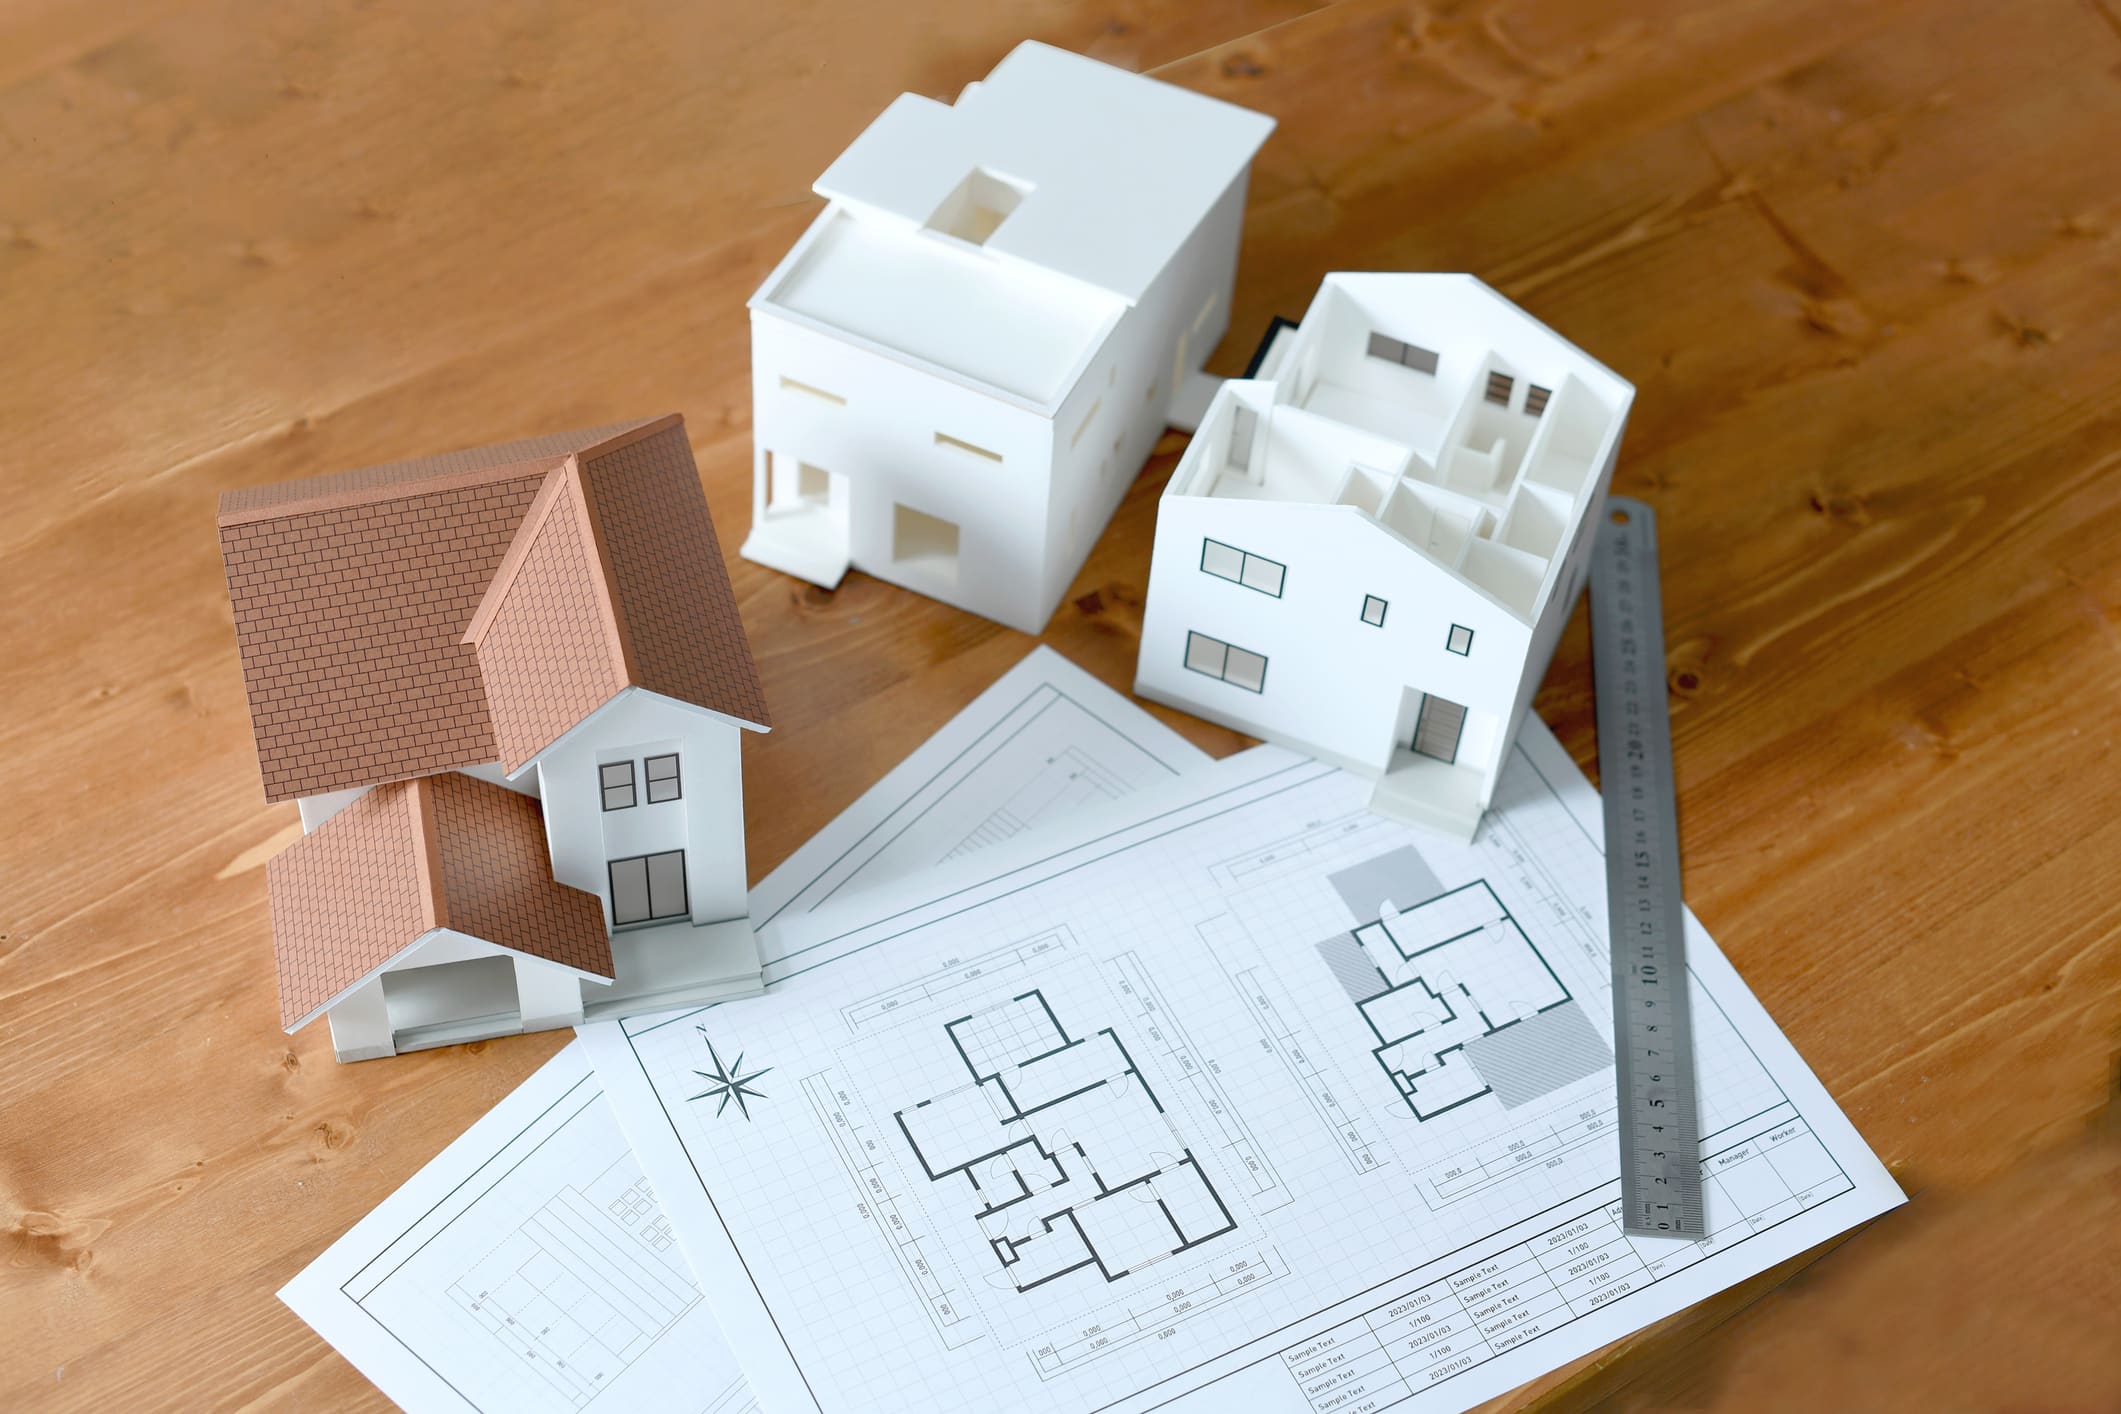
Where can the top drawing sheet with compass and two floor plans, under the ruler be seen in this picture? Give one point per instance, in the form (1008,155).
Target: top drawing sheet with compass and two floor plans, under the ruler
(1244,1099)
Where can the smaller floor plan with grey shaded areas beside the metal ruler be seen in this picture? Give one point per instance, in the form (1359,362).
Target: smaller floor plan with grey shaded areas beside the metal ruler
(1462,1004)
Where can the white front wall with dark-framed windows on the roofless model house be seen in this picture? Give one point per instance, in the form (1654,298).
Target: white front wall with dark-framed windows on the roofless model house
(1335,686)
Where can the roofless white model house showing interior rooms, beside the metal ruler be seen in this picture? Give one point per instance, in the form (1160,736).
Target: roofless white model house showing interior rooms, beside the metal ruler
(1371,546)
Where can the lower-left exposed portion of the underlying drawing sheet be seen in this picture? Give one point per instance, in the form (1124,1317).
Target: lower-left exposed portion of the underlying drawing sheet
(525,1269)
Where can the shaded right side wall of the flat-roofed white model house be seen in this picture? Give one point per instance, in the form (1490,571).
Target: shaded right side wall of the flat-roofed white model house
(1117,412)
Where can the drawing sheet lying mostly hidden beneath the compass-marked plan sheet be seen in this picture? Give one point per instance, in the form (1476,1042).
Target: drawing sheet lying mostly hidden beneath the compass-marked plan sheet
(529,1267)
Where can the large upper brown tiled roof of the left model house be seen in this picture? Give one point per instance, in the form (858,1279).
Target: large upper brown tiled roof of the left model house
(353,595)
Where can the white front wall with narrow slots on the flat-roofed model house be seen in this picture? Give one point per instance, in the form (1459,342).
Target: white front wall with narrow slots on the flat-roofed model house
(881,444)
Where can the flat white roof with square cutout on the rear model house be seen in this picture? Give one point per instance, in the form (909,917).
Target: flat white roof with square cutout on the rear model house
(1117,169)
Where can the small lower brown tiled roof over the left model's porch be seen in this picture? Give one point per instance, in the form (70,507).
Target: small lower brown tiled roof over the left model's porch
(413,858)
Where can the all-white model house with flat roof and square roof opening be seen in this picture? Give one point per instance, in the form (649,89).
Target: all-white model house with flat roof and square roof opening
(968,355)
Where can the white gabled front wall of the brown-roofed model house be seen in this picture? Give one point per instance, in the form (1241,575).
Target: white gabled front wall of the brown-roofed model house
(707,821)
